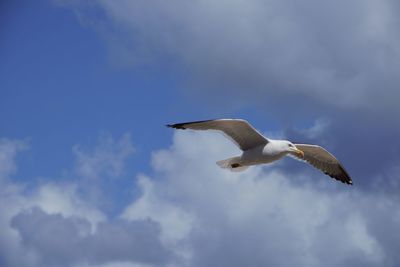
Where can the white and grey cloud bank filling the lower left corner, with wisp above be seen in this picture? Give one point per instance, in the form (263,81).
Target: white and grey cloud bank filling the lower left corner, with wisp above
(56,224)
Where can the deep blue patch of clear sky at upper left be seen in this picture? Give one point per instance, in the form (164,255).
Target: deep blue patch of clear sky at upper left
(58,87)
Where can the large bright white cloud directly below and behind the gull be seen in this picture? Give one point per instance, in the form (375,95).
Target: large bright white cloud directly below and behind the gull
(263,216)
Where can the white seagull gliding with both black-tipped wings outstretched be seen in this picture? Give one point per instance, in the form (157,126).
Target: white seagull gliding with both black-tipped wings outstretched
(257,149)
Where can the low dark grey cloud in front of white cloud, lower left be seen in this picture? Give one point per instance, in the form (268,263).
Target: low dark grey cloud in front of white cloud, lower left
(61,241)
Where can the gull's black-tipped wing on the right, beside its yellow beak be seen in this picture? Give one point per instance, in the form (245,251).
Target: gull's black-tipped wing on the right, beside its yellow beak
(324,161)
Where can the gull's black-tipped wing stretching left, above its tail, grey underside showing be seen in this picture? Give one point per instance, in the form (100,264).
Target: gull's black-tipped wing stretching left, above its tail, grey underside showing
(240,131)
